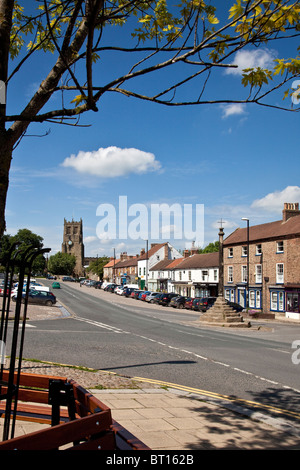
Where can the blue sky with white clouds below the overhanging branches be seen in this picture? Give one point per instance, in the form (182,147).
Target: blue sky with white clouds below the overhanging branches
(237,161)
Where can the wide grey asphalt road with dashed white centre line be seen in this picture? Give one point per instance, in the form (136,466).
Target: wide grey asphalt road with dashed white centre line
(168,345)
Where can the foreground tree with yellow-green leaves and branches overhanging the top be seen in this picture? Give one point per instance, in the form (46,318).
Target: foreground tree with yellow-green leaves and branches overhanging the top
(197,38)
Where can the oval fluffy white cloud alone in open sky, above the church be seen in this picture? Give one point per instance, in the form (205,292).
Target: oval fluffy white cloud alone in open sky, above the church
(112,162)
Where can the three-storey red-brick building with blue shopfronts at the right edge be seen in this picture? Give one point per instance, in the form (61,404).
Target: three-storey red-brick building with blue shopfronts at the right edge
(271,253)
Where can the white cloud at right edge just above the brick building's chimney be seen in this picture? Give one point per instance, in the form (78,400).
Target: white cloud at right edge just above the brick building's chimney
(274,201)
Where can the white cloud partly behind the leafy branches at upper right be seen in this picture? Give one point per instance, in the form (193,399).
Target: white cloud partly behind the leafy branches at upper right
(248,59)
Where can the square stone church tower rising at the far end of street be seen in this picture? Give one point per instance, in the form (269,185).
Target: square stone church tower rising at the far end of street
(73,243)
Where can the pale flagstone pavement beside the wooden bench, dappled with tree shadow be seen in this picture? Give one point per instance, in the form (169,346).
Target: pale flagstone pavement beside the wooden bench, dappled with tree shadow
(166,417)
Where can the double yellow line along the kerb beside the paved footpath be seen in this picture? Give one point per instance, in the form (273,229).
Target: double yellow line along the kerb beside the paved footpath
(218,396)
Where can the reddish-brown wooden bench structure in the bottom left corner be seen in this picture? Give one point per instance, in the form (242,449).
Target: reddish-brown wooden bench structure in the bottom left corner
(77,420)
